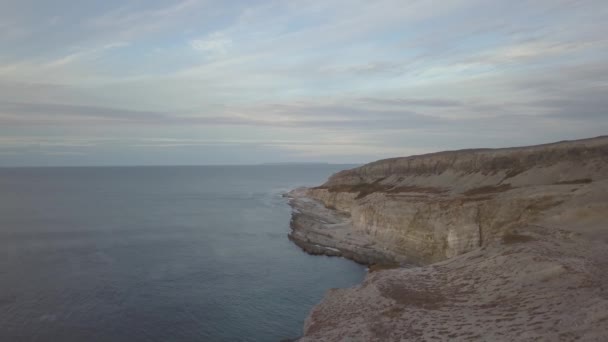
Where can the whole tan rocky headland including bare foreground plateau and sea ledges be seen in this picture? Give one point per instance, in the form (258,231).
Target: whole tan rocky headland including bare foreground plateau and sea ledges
(518,235)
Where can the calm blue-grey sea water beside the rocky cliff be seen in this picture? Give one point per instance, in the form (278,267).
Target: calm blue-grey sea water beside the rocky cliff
(157,254)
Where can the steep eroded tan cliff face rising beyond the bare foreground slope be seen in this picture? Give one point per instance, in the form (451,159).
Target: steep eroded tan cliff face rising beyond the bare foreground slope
(433,207)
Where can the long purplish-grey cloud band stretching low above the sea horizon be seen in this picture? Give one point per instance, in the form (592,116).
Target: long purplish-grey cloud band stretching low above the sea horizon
(296,116)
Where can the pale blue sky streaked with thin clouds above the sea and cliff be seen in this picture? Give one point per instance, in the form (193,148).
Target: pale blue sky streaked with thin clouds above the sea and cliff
(192,82)
